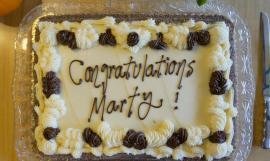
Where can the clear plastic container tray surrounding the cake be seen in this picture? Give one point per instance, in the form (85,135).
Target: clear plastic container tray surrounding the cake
(242,74)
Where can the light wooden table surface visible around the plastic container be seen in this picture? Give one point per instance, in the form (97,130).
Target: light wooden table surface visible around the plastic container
(248,9)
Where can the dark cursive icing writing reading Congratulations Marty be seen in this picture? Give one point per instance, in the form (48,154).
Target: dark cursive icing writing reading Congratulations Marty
(99,76)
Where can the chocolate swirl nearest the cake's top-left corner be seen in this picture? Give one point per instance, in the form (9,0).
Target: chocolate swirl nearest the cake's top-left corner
(67,38)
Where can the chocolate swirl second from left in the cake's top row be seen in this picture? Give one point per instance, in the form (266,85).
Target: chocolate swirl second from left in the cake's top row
(107,38)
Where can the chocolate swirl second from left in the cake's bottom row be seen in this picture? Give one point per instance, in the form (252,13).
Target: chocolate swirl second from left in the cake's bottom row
(91,138)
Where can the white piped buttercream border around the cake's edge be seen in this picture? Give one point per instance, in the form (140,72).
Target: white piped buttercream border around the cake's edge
(70,141)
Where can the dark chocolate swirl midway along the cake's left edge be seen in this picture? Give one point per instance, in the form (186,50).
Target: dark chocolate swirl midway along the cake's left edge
(50,84)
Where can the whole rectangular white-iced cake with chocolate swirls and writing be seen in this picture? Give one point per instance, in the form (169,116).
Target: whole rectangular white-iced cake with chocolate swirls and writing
(106,87)
